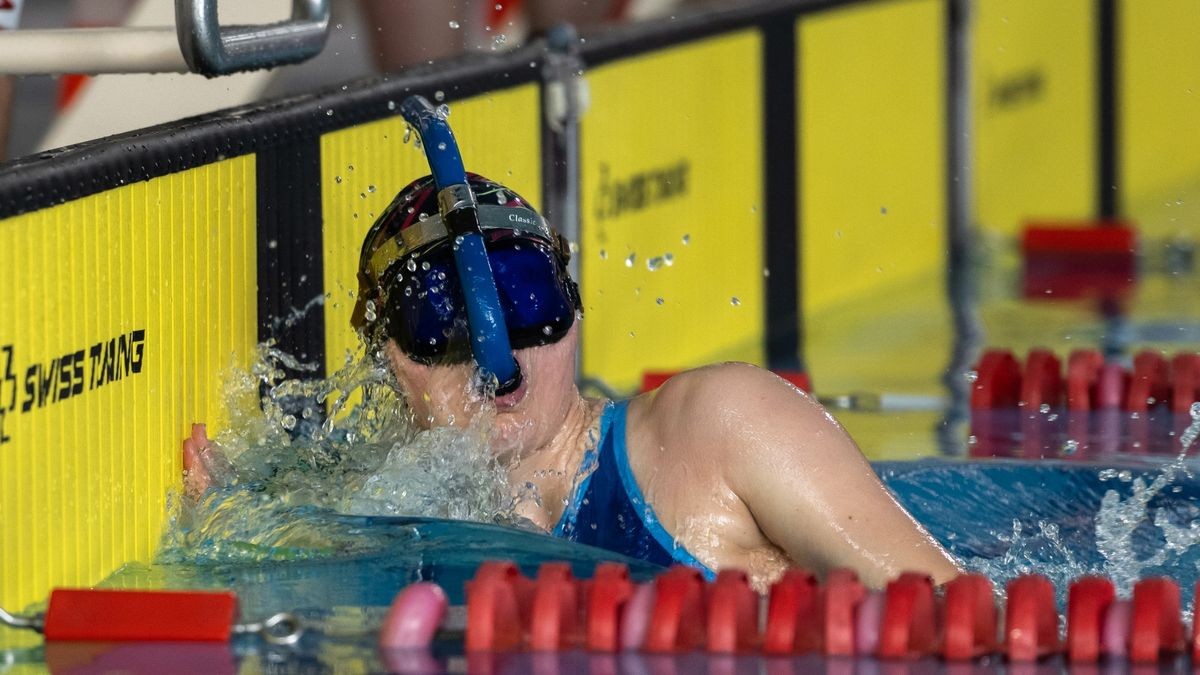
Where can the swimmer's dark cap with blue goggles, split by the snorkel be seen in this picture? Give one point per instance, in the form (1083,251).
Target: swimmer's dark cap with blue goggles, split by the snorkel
(409,286)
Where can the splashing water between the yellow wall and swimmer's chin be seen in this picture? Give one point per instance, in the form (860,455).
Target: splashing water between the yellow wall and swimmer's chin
(289,467)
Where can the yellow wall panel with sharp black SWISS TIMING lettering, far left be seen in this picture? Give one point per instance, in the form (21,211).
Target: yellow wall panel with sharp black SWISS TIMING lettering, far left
(122,313)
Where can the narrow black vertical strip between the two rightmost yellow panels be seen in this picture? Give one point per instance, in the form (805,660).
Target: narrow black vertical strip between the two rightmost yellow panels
(1108,190)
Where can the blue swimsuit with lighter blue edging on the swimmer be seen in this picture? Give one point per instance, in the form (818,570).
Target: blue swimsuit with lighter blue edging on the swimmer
(609,510)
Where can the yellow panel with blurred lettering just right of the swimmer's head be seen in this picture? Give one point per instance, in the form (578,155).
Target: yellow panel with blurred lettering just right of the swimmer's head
(673,169)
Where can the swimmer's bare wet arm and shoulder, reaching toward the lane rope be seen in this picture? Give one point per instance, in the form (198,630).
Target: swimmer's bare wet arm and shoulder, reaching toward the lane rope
(806,483)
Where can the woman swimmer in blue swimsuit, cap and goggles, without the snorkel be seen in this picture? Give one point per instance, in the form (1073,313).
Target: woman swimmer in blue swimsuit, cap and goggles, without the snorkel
(723,467)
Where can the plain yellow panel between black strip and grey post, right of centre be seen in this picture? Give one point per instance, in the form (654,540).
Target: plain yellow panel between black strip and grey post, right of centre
(872,104)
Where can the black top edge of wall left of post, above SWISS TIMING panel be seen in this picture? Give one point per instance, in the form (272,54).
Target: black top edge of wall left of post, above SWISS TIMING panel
(41,181)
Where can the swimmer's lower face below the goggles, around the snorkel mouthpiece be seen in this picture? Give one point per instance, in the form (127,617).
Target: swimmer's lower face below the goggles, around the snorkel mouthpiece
(443,396)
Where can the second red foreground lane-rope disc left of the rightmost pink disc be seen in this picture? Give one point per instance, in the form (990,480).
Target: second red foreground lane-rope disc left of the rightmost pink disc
(1031,623)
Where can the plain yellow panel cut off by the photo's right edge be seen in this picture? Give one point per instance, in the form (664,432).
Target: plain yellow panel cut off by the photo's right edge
(1160,91)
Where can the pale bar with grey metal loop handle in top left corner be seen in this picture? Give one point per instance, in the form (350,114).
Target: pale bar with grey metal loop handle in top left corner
(197,44)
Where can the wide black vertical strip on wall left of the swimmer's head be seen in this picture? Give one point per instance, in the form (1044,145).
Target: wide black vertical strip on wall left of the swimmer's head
(290,252)
